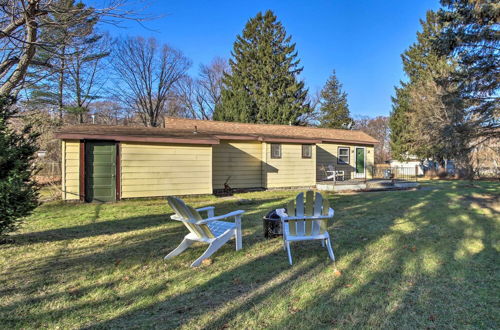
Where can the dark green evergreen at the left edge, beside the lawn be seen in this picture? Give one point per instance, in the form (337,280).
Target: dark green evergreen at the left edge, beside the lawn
(18,192)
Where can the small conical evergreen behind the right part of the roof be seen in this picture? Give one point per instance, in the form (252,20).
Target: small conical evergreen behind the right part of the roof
(334,110)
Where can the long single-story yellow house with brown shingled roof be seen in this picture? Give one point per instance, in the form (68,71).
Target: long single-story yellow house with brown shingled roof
(199,156)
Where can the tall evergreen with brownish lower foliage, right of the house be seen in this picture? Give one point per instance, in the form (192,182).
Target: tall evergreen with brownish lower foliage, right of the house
(429,116)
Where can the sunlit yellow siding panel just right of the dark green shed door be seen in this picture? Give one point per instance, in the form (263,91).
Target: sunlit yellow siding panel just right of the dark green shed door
(149,170)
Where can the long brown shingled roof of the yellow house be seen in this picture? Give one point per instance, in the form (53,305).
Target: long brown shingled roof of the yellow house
(180,130)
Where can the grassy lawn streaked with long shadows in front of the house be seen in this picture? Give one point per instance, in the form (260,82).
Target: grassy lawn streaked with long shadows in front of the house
(405,259)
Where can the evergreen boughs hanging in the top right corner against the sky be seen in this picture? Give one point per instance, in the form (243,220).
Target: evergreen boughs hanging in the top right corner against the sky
(471,31)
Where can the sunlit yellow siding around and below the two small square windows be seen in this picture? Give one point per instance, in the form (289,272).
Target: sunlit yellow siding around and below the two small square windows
(291,170)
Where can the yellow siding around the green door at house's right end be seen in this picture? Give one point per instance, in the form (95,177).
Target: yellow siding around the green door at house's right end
(327,155)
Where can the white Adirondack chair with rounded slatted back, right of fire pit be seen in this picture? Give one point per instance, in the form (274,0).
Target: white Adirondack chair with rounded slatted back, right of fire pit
(306,221)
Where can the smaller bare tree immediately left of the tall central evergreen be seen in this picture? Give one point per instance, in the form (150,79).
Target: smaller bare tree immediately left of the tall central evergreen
(200,96)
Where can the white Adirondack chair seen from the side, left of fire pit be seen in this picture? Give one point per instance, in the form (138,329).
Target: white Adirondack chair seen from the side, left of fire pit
(209,230)
